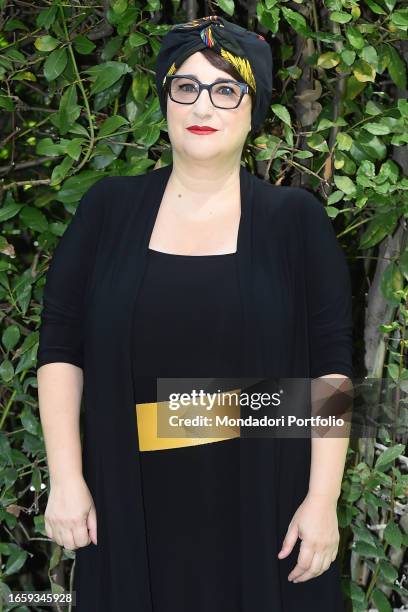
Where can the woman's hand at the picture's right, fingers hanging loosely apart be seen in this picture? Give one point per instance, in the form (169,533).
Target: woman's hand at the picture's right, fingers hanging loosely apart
(315,523)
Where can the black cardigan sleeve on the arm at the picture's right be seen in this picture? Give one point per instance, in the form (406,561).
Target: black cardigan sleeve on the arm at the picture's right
(328,289)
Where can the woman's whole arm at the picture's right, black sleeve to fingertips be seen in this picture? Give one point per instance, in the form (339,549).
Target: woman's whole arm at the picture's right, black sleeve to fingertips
(329,305)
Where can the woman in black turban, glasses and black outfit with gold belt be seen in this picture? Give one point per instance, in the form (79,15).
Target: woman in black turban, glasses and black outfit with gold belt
(196,269)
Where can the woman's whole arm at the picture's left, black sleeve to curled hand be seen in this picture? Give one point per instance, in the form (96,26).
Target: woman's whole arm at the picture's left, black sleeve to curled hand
(70,517)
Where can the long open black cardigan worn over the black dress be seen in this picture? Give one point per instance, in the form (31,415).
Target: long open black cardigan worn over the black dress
(296,295)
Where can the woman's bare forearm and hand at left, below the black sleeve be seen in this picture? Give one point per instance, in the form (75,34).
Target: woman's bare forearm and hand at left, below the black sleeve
(70,515)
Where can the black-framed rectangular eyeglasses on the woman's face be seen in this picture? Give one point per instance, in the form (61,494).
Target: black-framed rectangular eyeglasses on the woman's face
(224,93)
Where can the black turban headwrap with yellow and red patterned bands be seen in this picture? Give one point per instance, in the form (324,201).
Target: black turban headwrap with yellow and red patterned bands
(246,51)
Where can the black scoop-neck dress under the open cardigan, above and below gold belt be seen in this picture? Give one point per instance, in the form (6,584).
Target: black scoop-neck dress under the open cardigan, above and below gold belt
(187,324)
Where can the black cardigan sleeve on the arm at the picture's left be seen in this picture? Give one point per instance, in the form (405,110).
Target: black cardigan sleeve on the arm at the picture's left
(61,325)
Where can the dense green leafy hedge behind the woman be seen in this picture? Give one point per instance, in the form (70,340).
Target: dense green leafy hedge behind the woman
(78,102)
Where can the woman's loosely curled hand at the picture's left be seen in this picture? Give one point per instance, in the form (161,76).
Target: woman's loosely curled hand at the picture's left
(70,516)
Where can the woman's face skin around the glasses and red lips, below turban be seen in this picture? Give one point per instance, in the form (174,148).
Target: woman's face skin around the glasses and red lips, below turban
(232,124)
